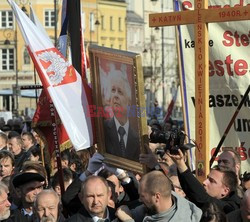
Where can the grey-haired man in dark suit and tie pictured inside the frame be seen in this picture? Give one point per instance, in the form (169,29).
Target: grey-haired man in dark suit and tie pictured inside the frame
(120,131)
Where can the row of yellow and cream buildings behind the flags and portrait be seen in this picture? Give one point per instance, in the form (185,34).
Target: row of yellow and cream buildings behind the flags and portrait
(119,24)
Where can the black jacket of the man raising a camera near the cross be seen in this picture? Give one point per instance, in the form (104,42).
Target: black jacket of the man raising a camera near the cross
(197,194)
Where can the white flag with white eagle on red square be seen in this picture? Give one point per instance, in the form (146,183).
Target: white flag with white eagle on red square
(61,81)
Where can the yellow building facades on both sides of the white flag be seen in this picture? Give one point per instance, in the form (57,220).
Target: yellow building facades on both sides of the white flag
(16,68)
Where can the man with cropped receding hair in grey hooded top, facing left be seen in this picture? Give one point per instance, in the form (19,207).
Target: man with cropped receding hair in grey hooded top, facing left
(159,202)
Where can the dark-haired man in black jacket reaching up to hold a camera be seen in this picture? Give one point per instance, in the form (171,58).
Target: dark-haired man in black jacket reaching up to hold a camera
(219,187)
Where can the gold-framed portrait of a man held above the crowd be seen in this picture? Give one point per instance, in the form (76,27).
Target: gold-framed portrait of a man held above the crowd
(119,106)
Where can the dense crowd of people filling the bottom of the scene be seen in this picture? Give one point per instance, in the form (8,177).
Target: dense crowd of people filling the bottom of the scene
(88,189)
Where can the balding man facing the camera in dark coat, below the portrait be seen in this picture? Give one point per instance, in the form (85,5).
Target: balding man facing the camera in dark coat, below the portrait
(94,197)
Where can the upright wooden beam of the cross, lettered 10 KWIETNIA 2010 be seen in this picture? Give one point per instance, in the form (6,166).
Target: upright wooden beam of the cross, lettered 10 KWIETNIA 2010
(201,92)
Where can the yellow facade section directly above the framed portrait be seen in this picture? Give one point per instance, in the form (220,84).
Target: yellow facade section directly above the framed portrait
(104,23)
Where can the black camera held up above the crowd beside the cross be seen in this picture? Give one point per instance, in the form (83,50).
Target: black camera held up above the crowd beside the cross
(173,140)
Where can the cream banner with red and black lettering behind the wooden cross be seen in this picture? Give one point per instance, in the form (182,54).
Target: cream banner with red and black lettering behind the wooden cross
(229,74)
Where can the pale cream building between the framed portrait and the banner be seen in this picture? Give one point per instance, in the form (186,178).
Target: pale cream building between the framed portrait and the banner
(159,55)
